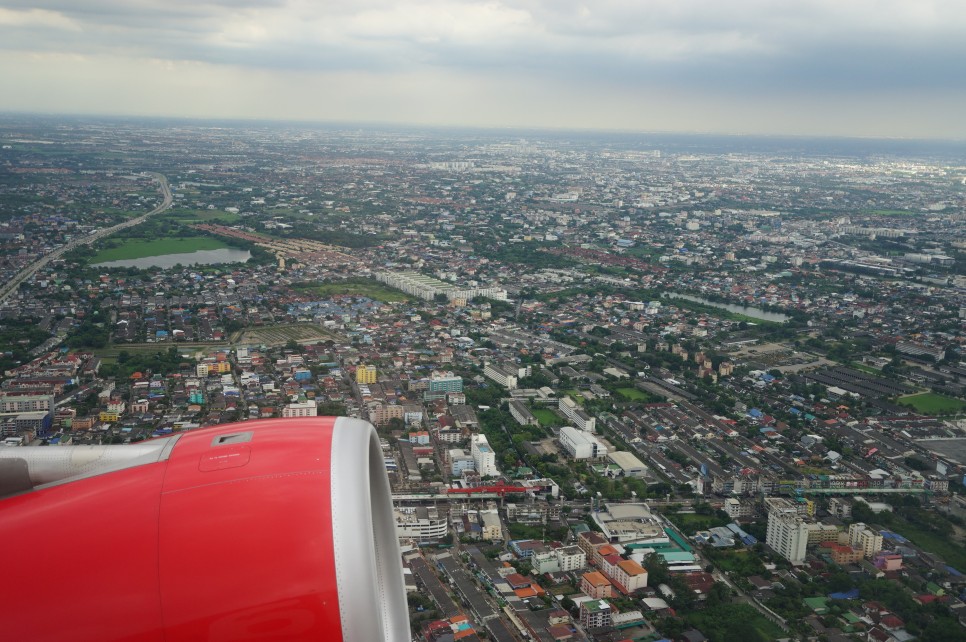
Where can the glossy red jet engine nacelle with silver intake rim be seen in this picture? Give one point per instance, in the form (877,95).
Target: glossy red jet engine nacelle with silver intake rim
(278,529)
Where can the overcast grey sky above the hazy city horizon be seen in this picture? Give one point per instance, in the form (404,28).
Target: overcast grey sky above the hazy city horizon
(891,68)
